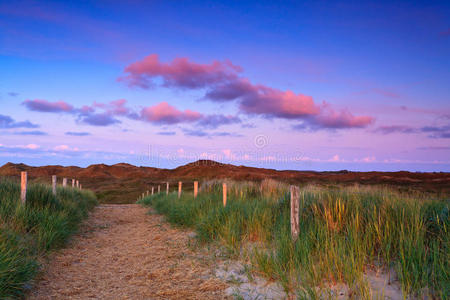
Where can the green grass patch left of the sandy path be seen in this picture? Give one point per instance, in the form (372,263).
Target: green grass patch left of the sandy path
(27,232)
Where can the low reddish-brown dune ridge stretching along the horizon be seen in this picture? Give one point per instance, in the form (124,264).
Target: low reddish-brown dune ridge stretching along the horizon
(123,183)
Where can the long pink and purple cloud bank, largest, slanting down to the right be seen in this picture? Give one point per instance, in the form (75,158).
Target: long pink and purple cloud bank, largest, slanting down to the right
(223,83)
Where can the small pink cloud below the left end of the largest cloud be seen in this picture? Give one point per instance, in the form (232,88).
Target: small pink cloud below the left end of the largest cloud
(164,113)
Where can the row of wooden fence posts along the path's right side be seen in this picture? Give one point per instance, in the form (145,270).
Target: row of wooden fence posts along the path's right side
(295,203)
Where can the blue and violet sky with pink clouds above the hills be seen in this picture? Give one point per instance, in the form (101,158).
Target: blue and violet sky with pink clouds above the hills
(300,85)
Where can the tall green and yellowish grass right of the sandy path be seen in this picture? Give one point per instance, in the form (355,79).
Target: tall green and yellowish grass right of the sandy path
(344,233)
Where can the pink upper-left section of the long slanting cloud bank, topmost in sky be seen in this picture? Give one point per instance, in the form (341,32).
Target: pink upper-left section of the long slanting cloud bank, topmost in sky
(179,73)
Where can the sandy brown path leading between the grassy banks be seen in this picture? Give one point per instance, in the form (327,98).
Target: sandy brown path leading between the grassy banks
(122,252)
